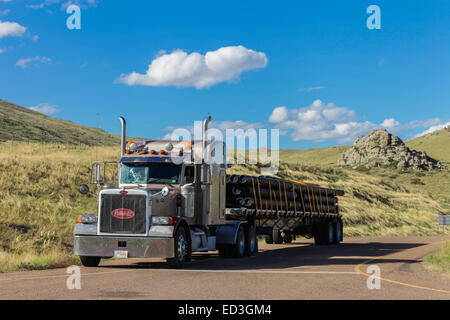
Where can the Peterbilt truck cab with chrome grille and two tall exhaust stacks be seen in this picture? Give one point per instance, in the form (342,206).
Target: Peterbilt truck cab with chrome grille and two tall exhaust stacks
(169,201)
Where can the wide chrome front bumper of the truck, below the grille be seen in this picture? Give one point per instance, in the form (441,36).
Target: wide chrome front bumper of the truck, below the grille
(137,247)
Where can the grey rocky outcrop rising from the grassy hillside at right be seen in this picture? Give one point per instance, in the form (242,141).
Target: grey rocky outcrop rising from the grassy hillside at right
(380,148)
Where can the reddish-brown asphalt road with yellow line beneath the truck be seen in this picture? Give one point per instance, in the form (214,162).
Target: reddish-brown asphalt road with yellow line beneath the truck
(299,270)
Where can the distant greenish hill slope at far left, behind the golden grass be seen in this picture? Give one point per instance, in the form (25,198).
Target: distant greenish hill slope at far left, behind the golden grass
(23,124)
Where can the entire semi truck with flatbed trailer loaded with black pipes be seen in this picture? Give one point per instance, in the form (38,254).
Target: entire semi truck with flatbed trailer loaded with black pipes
(169,200)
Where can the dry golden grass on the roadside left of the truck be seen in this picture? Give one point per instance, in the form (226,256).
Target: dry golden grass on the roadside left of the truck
(40,201)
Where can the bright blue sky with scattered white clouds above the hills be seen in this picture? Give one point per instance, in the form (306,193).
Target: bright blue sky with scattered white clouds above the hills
(311,68)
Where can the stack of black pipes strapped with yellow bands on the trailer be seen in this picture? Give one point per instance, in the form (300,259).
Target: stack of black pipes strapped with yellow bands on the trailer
(274,194)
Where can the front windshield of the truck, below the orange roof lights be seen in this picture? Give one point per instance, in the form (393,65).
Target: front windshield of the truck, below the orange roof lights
(150,173)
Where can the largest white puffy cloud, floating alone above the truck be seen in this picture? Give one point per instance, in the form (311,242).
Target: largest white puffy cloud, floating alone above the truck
(181,69)
